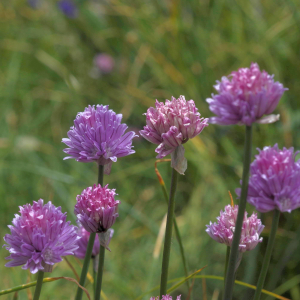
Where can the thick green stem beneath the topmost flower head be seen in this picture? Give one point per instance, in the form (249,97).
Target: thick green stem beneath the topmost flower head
(229,283)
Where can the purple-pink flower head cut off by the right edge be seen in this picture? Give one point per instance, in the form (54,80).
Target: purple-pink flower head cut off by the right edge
(274,180)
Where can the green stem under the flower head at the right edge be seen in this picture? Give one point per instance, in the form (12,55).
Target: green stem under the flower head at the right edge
(268,254)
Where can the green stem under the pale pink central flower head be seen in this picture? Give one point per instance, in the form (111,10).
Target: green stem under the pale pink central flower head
(168,235)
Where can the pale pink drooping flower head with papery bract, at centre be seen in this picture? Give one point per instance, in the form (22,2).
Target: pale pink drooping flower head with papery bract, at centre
(172,124)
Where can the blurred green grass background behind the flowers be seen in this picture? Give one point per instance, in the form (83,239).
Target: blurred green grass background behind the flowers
(160,49)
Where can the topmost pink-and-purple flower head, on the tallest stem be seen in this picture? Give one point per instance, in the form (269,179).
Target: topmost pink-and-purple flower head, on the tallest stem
(245,97)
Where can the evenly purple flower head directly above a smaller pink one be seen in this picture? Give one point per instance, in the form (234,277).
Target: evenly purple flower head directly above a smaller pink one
(98,135)
